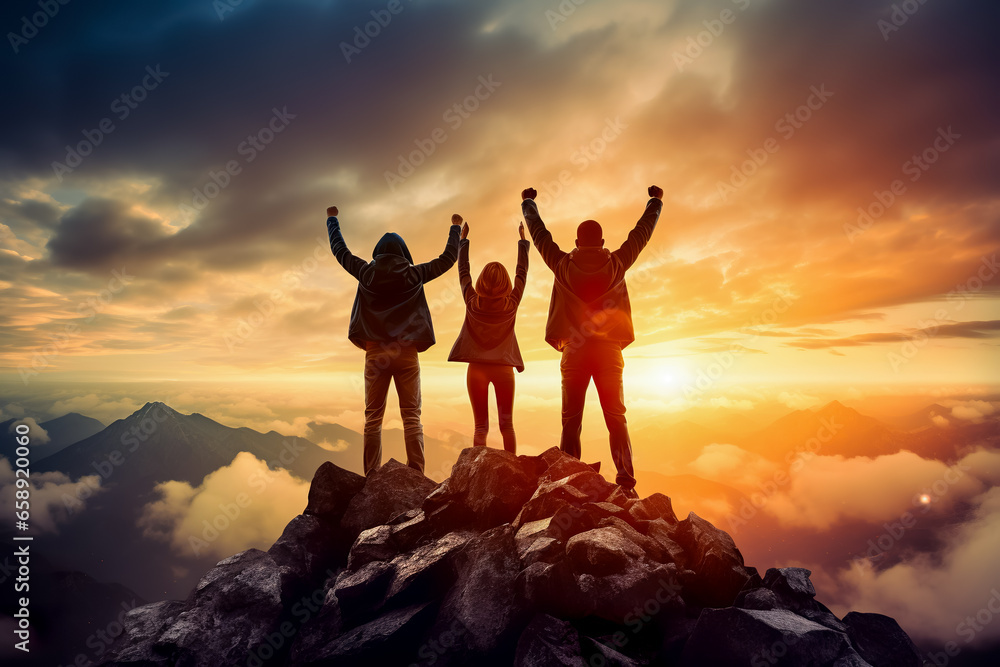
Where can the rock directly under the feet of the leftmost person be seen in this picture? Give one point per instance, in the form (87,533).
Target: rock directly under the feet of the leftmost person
(392,489)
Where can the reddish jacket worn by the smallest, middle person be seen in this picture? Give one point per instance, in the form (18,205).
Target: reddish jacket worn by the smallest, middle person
(487,335)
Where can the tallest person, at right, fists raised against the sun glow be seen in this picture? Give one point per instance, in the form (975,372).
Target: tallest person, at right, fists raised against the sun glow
(590,322)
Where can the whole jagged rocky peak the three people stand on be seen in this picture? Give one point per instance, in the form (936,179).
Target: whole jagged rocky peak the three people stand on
(513,560)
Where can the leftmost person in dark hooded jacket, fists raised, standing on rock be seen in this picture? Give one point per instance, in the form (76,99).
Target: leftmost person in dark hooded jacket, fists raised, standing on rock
(391,322)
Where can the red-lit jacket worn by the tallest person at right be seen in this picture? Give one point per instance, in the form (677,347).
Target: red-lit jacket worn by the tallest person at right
(589,295)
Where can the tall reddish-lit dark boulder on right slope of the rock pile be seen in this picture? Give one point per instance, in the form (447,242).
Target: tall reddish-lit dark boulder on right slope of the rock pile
(715,560)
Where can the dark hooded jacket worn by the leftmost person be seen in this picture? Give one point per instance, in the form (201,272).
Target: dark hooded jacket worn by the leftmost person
(390,305)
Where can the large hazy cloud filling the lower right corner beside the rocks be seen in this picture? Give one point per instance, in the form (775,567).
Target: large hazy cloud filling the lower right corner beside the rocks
(938,597)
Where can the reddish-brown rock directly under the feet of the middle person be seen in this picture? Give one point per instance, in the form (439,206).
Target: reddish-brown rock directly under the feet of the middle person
(491,483)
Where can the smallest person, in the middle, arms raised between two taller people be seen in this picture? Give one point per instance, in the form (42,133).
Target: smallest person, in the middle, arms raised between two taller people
(487,341)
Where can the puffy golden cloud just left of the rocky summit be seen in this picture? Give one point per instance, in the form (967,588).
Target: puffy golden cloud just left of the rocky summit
(239,506)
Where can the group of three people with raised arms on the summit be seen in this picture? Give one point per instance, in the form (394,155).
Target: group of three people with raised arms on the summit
(589,322)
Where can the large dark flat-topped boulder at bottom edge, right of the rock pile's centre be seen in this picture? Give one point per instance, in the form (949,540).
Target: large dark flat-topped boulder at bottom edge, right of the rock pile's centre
(734,636)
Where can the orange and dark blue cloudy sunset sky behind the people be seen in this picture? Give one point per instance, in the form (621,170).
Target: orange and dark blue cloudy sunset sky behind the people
(830,224)
